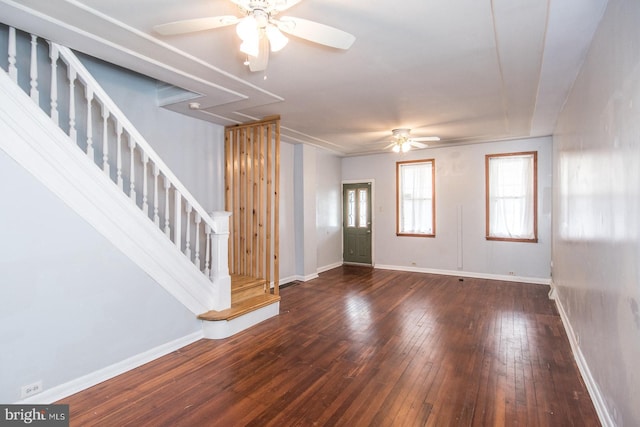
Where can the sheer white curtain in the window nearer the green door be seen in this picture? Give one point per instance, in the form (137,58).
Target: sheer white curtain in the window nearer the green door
(416,204)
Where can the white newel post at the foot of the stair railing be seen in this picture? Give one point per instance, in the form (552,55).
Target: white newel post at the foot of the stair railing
(220,259)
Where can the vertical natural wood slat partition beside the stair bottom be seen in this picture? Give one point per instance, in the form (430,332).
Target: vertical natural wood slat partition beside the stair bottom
(252,169)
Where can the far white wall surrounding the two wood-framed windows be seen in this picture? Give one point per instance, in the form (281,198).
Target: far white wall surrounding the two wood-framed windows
(460,214)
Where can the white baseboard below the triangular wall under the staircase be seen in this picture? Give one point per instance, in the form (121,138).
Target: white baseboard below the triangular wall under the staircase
(67,389)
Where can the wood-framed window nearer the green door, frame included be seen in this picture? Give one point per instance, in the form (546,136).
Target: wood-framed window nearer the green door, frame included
(415,198)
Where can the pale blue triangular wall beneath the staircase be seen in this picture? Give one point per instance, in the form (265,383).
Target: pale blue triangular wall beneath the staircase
(70,302)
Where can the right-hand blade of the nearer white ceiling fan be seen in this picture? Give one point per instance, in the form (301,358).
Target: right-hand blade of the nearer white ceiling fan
(316,32)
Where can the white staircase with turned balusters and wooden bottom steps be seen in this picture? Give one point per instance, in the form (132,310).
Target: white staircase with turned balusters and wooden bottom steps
(79,144)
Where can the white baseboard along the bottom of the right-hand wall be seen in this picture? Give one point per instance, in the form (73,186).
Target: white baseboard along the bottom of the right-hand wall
(592,385)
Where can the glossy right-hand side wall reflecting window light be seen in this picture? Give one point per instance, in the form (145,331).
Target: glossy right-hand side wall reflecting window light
(596,246)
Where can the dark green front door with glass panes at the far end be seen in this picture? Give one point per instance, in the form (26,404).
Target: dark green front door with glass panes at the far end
(356,219)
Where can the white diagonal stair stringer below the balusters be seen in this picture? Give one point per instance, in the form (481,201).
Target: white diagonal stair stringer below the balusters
(37,144)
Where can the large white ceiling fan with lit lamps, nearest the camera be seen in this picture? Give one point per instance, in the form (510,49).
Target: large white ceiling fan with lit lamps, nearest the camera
(259,30)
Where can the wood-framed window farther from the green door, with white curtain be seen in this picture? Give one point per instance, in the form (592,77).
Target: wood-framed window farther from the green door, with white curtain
(511,197)
